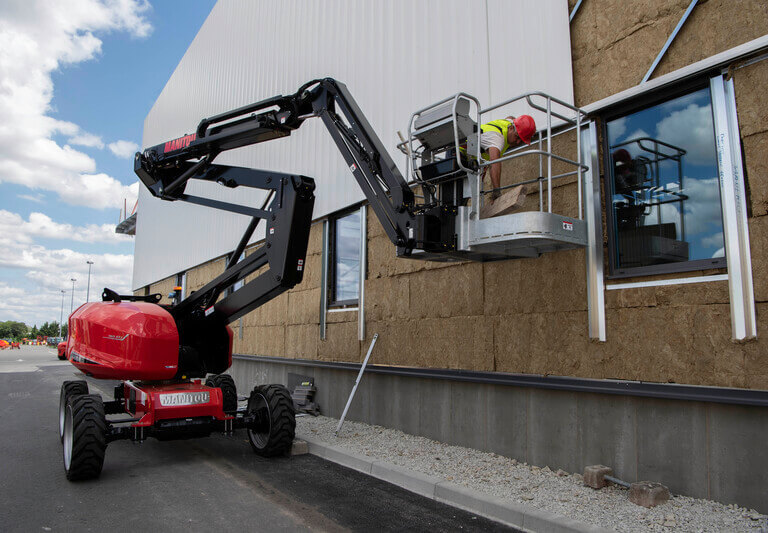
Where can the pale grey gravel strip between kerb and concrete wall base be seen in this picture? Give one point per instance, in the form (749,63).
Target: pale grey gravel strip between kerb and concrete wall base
(556,492)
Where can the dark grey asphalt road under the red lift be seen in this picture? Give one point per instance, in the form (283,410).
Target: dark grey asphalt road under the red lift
(190,485)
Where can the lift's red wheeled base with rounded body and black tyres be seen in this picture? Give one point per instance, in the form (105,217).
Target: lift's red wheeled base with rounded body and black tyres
(138,343)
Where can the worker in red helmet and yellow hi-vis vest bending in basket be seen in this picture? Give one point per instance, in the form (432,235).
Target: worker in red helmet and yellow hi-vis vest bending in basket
(497,137)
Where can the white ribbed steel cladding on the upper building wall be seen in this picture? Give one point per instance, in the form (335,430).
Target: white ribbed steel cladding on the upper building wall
(395,57)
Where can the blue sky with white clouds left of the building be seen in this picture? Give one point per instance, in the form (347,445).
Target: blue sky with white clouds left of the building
(77,78)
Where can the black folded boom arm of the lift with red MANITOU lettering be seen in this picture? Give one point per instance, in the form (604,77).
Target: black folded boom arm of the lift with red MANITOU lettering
(166,168)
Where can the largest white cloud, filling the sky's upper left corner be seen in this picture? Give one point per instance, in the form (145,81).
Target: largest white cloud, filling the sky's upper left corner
(36,38)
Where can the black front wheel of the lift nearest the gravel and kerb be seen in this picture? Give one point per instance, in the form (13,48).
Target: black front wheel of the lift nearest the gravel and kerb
(276,420)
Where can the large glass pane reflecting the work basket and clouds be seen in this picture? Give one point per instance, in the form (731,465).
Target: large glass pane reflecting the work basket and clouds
(665,190)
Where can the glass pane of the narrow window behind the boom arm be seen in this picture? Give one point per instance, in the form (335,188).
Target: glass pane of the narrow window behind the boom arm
(347,257)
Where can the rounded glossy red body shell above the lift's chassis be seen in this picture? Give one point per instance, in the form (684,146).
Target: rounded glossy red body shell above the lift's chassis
(124,340)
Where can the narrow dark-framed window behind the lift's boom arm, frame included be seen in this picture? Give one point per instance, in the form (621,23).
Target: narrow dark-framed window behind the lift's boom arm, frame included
(344,267)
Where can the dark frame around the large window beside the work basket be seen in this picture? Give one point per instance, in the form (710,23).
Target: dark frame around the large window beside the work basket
(641,103)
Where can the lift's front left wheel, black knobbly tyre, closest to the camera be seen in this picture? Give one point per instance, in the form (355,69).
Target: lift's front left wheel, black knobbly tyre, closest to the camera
(85,428)
